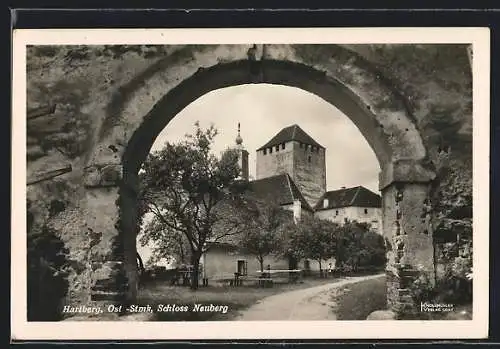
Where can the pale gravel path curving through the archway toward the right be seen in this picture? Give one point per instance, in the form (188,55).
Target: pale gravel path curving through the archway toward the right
(312,303)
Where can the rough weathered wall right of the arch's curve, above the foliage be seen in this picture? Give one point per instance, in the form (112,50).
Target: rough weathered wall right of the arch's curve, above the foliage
(436,82)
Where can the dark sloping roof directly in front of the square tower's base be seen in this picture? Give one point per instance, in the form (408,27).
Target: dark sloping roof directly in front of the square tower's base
(280,187)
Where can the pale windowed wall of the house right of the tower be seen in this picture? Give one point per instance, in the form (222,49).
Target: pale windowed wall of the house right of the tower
(371,215)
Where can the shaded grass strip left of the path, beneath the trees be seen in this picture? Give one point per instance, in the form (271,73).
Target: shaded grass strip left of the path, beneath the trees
(236,298)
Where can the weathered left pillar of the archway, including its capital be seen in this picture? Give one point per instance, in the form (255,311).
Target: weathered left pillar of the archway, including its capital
(113,270)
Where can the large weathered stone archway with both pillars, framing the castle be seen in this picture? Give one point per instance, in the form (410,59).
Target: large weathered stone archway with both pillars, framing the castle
(144,106)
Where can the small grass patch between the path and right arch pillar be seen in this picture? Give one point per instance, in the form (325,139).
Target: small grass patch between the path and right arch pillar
(356,301)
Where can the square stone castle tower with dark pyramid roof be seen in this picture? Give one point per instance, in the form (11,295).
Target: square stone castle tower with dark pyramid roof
(294,152)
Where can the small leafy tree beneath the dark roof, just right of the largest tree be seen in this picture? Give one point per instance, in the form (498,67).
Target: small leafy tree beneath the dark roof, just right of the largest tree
(263,222)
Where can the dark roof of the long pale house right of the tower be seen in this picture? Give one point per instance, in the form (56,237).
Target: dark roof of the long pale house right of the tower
(345,197)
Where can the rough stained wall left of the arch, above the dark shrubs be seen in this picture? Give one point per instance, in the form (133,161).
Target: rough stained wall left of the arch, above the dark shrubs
(80,81)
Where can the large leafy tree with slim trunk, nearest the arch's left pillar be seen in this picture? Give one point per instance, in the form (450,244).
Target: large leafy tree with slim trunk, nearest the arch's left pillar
(185,187)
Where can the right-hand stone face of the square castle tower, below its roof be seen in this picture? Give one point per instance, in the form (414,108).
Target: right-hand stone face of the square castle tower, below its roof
(309,172)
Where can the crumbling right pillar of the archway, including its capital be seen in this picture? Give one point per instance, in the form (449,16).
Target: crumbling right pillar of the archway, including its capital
(406,226)
